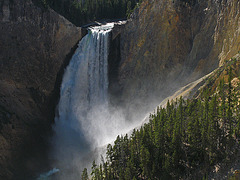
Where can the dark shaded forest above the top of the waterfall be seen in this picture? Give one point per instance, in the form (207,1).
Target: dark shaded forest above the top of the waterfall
(81,12)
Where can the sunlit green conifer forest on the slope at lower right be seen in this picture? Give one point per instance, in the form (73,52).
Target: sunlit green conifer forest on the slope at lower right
(184,138)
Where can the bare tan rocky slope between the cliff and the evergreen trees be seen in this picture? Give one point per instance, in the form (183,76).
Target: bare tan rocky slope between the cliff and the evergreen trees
(209,82)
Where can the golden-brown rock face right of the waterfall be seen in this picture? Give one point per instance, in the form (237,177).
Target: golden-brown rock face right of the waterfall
(169,43)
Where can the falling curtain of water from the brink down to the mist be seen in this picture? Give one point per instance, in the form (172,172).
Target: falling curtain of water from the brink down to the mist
(85,82)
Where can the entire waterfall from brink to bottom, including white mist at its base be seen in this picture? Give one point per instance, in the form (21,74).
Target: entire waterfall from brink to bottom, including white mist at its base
(84,122)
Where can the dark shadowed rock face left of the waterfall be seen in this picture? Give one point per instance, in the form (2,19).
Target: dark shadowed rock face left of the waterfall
(35,45)
